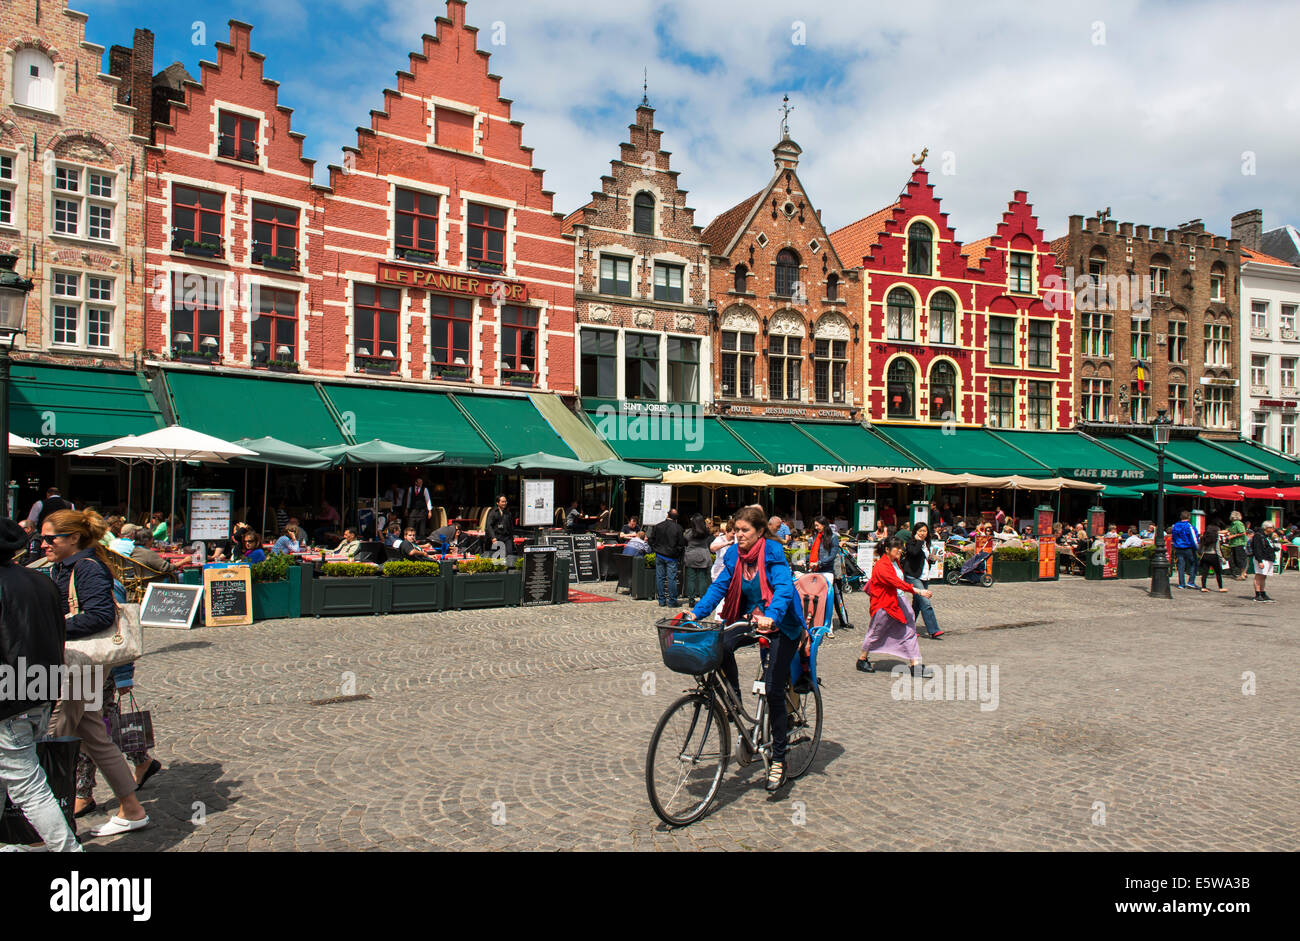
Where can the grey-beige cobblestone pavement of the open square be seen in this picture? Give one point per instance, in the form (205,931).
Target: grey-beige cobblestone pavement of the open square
(1121,725)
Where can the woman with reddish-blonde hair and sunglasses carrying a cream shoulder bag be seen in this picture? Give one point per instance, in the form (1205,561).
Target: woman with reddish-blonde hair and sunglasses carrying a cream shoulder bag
(80,570)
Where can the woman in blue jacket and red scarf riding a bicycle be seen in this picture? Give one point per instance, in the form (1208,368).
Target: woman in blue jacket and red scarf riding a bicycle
(765,592)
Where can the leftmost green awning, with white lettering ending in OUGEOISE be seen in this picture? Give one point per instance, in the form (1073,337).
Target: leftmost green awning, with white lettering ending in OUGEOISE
(66,409)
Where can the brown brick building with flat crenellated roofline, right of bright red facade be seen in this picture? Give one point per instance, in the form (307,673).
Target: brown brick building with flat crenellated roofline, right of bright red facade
(1163,302)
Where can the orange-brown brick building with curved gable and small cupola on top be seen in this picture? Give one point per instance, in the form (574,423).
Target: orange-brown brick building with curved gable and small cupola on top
(788,310)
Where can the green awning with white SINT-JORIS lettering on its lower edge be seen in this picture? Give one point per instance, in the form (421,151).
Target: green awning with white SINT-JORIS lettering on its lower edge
(671,441)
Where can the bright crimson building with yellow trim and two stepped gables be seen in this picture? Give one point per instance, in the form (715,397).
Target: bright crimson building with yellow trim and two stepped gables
(967,335)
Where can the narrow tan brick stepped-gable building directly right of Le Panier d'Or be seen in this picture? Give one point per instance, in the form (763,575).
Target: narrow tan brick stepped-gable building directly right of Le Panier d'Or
(642,283)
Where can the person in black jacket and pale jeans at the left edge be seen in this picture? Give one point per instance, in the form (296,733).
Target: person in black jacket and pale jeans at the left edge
(32,638)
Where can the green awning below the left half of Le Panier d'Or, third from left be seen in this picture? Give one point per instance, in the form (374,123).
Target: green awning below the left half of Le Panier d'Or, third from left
(413,418)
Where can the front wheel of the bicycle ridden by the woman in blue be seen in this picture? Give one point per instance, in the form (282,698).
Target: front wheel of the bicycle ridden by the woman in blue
(687,758)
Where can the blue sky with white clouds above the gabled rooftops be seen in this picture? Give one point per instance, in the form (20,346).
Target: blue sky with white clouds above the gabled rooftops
(1160,111)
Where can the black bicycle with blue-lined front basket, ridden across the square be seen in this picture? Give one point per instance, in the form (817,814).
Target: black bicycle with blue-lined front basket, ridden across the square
(692,743)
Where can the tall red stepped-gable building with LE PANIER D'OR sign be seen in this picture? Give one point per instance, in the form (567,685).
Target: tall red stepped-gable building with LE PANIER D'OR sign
(445,258)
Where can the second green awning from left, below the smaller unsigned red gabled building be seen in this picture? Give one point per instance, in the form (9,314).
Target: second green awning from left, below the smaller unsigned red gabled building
(233,407)
